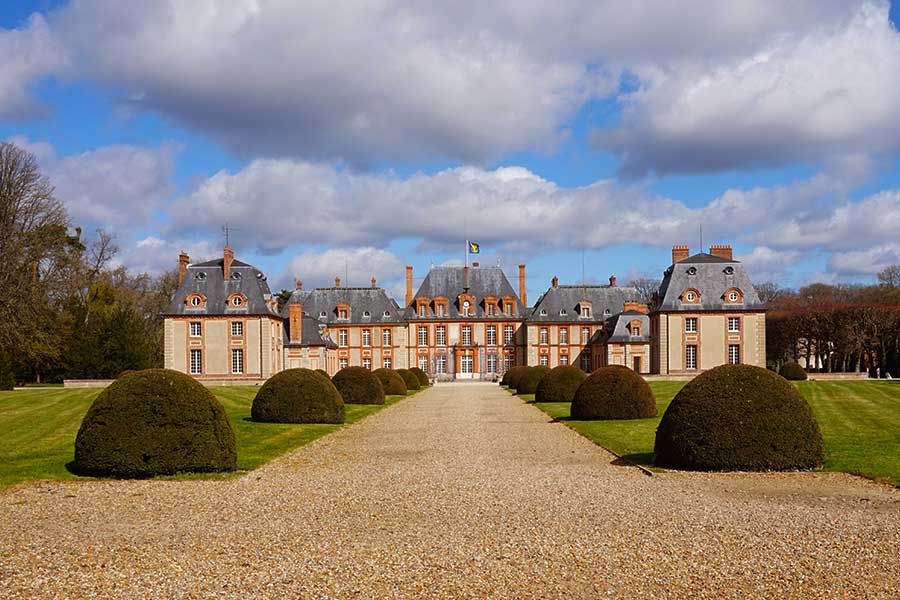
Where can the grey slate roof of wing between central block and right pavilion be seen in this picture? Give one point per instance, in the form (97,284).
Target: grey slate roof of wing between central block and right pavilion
(605,301)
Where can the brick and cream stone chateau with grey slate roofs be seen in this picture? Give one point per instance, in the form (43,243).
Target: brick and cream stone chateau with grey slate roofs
(224,324)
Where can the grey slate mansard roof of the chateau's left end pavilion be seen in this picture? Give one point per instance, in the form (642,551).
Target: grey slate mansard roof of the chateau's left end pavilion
(207,279)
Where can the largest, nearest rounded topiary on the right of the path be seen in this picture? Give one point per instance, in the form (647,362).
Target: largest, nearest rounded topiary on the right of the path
(739,418)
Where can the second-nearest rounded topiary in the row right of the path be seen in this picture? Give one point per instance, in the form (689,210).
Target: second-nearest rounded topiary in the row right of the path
(613,392)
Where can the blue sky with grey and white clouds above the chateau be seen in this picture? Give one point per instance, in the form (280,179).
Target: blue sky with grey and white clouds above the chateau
(583,139)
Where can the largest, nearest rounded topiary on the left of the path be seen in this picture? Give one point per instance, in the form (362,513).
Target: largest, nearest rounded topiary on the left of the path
(154,422)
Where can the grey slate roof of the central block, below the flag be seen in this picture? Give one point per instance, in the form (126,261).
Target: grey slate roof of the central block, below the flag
(450,282)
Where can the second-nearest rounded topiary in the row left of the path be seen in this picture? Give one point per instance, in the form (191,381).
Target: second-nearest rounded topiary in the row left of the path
(298,396)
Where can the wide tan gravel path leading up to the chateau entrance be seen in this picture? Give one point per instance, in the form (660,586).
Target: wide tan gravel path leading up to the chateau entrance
(460,492)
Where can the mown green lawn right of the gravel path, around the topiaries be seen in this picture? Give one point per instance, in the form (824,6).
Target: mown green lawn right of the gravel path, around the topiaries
(860,423)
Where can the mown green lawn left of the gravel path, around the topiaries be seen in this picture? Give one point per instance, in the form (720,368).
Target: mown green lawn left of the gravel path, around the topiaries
(39,428)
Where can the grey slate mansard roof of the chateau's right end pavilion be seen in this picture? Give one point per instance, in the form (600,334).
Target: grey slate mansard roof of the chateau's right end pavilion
(708,275)
